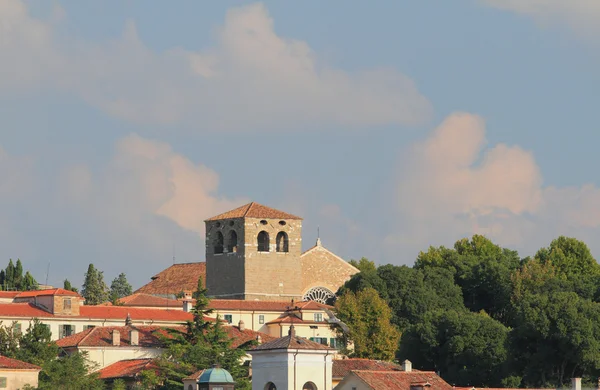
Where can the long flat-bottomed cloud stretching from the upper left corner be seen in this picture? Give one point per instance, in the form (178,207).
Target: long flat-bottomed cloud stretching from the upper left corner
(251,78)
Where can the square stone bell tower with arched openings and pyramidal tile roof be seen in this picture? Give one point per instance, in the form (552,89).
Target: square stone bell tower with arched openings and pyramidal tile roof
(253,253)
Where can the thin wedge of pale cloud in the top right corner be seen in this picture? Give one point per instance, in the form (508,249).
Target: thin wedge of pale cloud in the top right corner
(582,16)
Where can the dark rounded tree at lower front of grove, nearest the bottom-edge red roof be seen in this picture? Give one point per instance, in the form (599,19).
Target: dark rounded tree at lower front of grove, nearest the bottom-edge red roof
(468,349)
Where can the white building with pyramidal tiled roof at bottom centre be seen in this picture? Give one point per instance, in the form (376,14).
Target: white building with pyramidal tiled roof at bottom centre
(292,362)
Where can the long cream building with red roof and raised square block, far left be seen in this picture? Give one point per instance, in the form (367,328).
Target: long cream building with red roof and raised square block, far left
(64,313)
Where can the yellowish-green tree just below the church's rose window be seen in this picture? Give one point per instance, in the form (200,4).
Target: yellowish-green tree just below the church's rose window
(368,318)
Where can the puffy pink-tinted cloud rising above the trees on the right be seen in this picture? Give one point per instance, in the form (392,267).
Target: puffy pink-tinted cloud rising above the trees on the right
(452,185)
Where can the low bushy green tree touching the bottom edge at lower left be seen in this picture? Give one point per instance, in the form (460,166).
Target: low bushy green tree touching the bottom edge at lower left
(70,372)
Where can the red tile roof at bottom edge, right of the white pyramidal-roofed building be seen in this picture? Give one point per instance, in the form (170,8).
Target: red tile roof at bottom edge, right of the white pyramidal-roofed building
(401,380)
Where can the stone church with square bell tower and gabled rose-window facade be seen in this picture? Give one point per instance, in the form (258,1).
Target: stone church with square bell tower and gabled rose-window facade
(254,252)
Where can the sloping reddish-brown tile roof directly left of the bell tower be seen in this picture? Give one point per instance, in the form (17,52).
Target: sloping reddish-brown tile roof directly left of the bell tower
(176,278)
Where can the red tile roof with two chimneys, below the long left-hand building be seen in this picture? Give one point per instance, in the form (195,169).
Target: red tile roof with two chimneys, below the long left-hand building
(101,336)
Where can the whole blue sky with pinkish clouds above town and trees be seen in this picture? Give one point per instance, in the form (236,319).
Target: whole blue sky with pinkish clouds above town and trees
(389,126)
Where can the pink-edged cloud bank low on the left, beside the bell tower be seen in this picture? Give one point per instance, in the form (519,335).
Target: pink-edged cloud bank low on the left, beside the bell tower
(125,216)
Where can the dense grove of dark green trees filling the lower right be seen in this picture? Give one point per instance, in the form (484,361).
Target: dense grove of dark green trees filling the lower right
(482,316)
